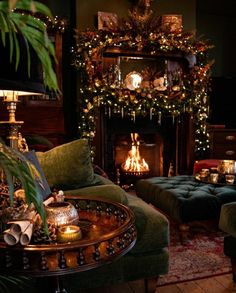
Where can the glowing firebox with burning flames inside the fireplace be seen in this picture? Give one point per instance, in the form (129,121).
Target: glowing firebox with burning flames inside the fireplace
(138,156)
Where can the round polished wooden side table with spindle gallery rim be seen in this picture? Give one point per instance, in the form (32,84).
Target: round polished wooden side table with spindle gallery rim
(108,232)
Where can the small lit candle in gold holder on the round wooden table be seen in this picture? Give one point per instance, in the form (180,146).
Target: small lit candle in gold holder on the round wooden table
(69,233)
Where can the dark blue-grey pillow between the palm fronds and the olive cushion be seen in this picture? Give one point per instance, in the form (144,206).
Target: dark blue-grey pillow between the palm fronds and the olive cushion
(44,189)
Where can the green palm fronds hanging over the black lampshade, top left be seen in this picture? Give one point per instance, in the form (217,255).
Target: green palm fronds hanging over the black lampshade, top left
(20,17)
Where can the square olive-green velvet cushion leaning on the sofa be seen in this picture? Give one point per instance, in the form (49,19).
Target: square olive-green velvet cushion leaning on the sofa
(68,165)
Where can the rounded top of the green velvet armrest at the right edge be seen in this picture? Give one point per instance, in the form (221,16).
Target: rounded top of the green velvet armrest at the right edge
(227,221)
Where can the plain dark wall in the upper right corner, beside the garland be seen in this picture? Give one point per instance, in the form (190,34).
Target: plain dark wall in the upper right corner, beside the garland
(216,21)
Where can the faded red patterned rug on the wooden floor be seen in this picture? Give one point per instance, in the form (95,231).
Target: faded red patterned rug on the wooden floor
(199,255)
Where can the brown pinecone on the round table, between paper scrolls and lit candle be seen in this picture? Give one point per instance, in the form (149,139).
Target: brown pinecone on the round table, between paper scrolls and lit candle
(39,235)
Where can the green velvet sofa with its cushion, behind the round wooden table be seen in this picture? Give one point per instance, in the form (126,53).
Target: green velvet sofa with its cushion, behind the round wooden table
(68,167)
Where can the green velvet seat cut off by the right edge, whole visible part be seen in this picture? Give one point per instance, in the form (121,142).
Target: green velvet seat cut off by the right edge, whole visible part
(227,223)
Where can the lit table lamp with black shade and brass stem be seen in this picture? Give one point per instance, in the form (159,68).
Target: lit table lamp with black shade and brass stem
(26,79)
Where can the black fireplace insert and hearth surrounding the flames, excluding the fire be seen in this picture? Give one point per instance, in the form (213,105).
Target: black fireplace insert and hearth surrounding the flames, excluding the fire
(157,145)
